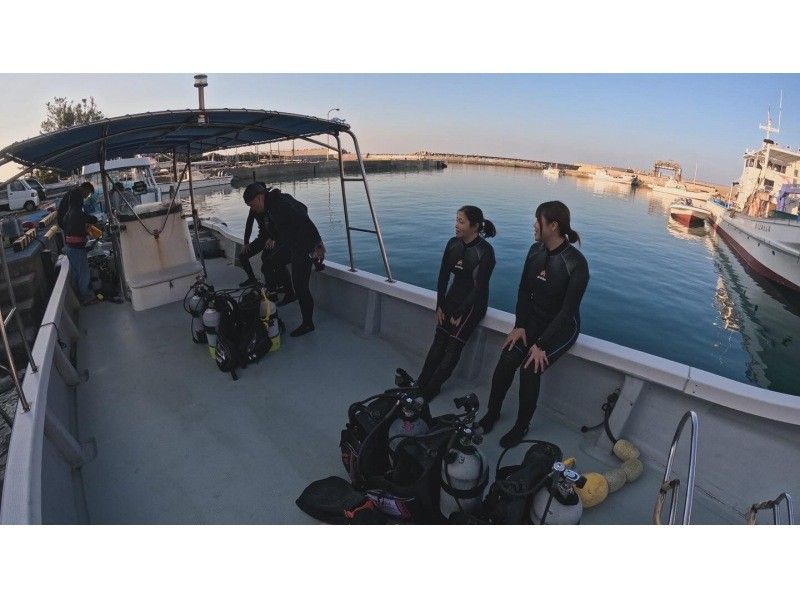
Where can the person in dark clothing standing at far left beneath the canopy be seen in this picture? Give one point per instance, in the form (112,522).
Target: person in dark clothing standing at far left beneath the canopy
(74,222)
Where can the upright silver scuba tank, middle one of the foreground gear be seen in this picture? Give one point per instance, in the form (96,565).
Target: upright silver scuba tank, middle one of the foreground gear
(464,470)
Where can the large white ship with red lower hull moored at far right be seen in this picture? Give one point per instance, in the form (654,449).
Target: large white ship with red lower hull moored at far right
(761,224)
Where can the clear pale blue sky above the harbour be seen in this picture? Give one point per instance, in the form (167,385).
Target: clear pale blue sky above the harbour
(621,120)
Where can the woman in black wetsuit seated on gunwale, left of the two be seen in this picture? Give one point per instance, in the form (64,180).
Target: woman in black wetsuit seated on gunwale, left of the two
(459,309)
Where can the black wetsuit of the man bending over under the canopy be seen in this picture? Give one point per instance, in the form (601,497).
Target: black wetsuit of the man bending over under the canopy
(300,236)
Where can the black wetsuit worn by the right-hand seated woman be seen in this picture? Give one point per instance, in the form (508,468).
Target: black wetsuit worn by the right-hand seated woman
(548,300)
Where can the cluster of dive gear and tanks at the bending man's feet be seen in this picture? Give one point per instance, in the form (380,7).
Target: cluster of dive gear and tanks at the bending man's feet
(239,325)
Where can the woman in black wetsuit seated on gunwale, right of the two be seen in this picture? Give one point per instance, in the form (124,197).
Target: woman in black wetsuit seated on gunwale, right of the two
(547,324)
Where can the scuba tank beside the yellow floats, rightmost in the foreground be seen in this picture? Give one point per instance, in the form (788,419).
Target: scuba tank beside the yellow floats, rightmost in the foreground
(557,503)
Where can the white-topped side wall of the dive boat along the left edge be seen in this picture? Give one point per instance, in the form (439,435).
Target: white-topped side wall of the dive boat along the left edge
(42,449)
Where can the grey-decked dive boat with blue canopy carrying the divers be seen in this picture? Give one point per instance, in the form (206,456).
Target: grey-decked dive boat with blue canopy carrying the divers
(155,433)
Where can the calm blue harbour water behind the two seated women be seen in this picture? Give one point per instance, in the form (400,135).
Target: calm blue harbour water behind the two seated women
(653,287)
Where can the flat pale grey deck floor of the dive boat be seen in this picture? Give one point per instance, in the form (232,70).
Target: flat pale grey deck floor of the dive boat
(178,441)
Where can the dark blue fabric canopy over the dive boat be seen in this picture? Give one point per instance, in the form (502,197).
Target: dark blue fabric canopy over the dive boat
(153,132)
